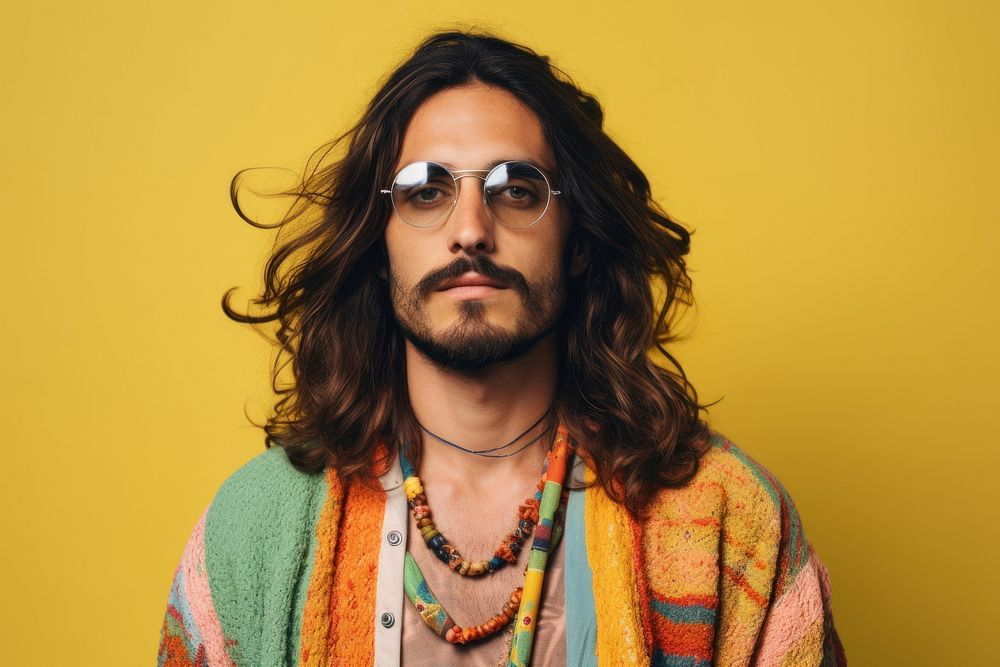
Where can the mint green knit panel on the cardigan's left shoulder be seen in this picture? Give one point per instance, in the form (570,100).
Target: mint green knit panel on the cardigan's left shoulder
(257,540)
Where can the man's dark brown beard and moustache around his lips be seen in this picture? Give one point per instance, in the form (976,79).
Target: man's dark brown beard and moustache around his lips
(472,342)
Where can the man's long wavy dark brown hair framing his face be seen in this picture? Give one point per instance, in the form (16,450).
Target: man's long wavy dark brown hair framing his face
(637,422)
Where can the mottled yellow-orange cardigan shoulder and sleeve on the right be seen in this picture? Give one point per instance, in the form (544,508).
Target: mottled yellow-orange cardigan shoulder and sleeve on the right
(732,539)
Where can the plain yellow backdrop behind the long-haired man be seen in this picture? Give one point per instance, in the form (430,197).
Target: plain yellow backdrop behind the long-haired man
(839,165)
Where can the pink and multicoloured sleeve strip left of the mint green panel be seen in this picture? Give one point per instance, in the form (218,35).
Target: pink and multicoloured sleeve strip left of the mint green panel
(191,635)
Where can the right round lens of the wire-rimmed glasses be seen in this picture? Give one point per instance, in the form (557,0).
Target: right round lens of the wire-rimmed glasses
(517,193)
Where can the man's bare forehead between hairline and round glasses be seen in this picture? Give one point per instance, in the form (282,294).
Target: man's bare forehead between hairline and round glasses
(474,125)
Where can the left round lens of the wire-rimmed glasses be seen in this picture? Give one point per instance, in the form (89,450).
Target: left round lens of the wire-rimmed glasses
(423,193)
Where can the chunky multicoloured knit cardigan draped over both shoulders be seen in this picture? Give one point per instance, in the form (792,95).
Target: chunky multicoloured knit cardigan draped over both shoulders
(281,569)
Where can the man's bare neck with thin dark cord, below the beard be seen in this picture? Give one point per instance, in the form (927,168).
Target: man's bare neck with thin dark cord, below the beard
(483,410)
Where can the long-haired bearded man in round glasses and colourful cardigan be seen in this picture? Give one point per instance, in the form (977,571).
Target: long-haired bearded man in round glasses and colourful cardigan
(468,317)
